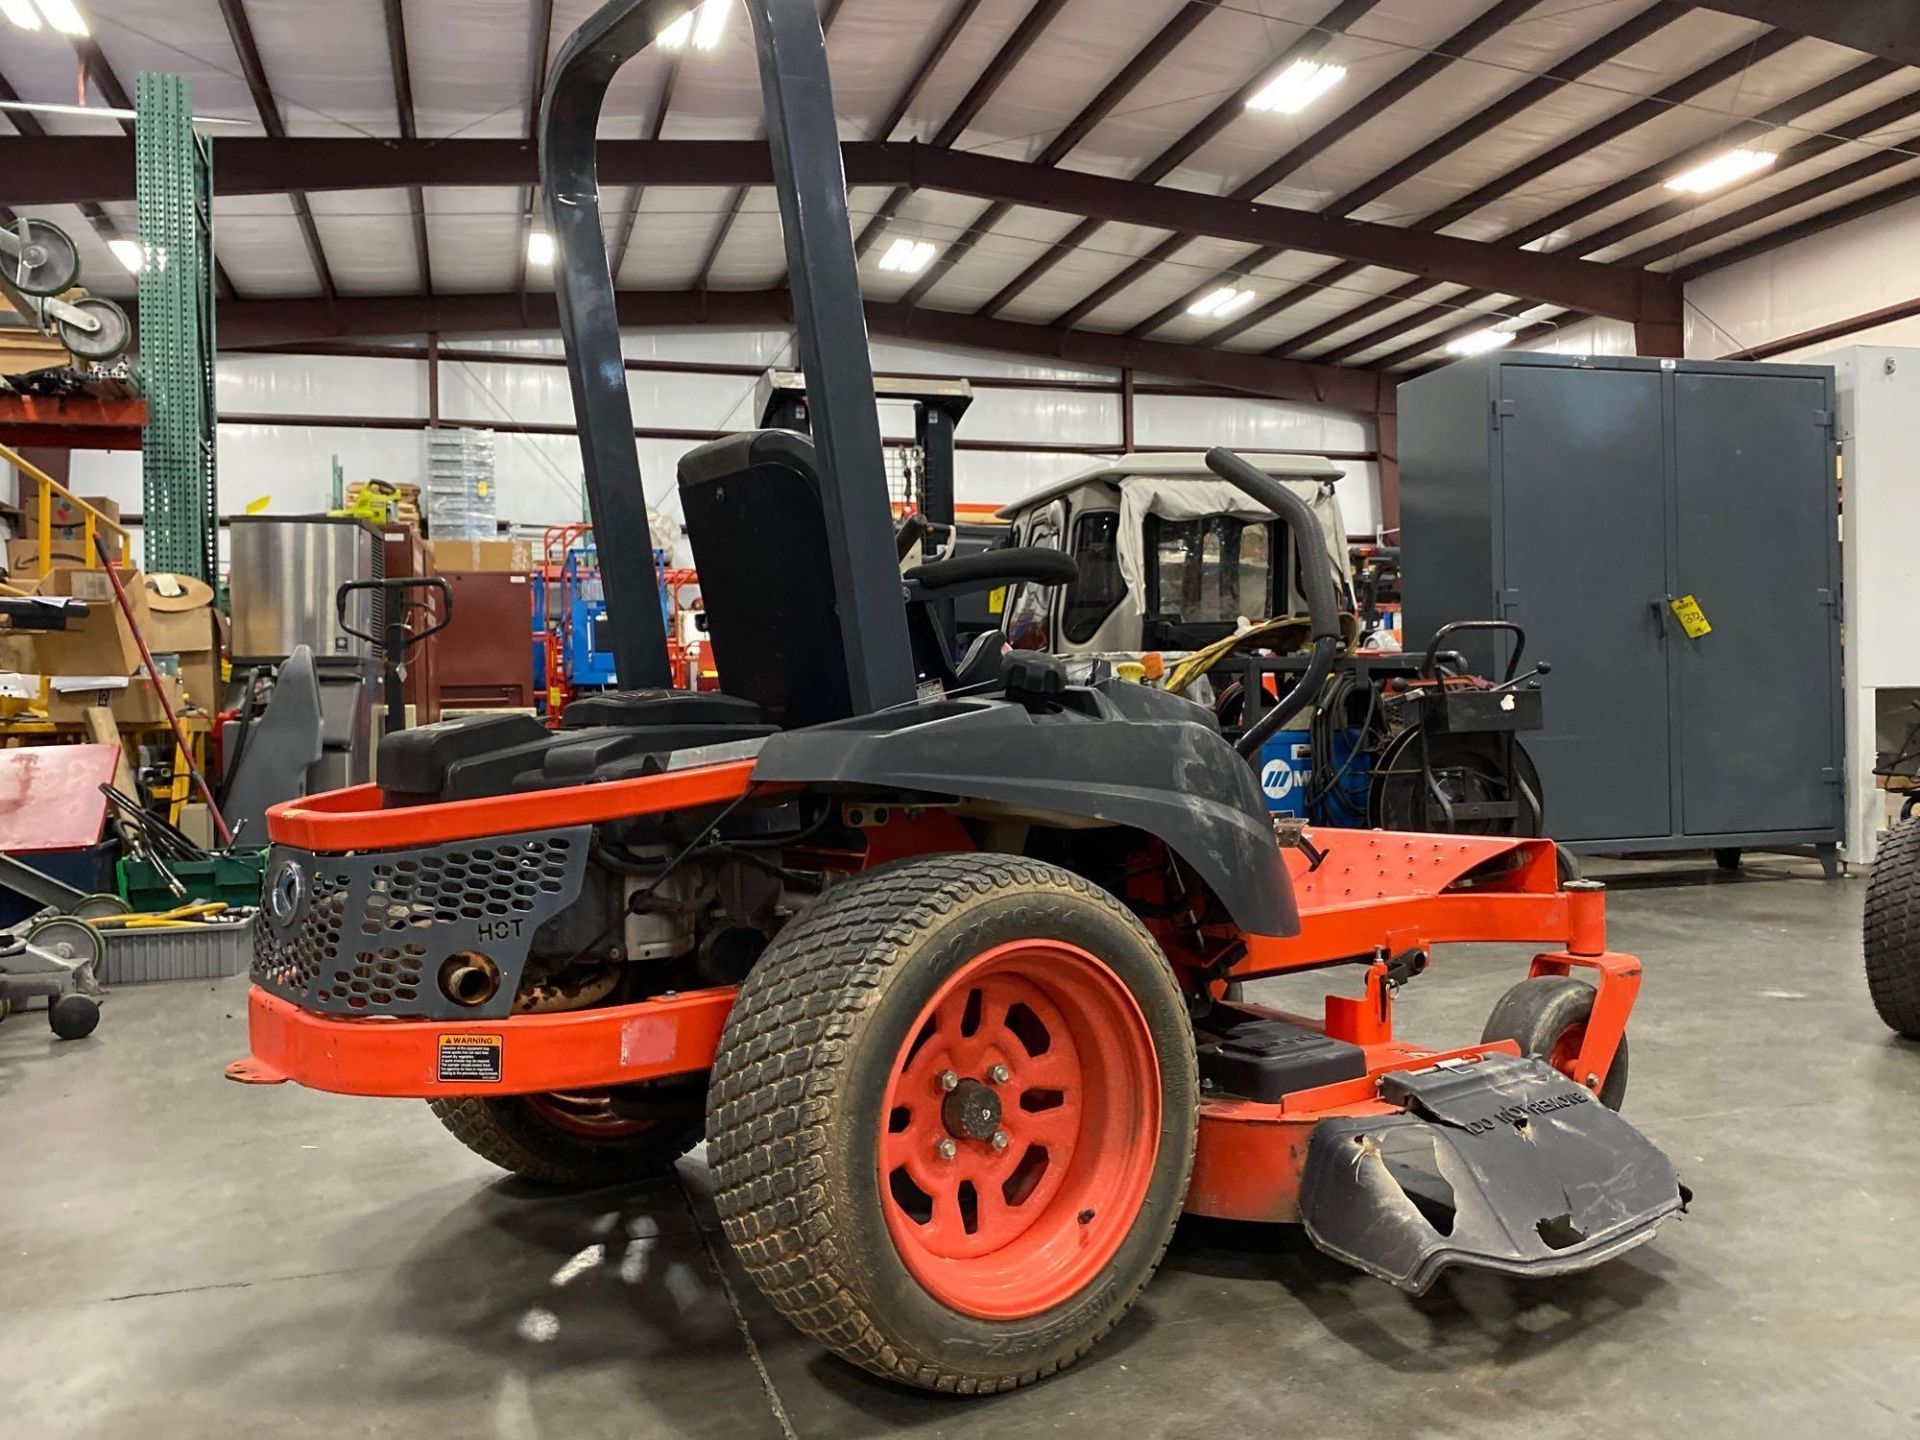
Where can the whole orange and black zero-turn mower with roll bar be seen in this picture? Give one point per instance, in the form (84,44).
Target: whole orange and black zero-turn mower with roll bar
(936,957)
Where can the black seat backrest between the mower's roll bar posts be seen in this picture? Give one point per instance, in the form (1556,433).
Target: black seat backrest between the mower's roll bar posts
(759,539)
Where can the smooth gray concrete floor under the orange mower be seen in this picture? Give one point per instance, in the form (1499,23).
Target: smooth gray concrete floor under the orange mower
(181,1257)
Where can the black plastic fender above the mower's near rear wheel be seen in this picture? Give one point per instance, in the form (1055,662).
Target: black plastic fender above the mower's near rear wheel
(1115,754)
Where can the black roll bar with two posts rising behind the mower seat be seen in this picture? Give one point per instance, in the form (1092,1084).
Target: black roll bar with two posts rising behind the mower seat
(827,312)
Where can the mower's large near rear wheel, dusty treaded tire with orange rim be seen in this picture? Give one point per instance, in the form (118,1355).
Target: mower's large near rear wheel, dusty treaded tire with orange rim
(953,1118)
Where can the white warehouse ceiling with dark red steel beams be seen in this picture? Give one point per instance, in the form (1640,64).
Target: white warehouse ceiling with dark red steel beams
(1082,172)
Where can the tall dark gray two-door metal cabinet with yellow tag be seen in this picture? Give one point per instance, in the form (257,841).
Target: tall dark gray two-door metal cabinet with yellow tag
(1577,498)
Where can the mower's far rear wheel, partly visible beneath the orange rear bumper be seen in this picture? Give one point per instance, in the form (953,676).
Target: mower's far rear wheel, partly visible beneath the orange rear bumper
(558,1141)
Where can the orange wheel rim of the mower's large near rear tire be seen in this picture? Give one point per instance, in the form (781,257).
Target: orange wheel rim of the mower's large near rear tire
(1020,1130)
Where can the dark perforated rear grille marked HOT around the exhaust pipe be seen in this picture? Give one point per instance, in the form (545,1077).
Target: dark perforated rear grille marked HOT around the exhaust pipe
(372,930)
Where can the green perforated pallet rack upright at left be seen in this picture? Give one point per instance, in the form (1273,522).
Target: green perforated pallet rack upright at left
(176,193)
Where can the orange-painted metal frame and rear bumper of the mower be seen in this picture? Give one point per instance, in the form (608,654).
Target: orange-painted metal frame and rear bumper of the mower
(1364,900)
